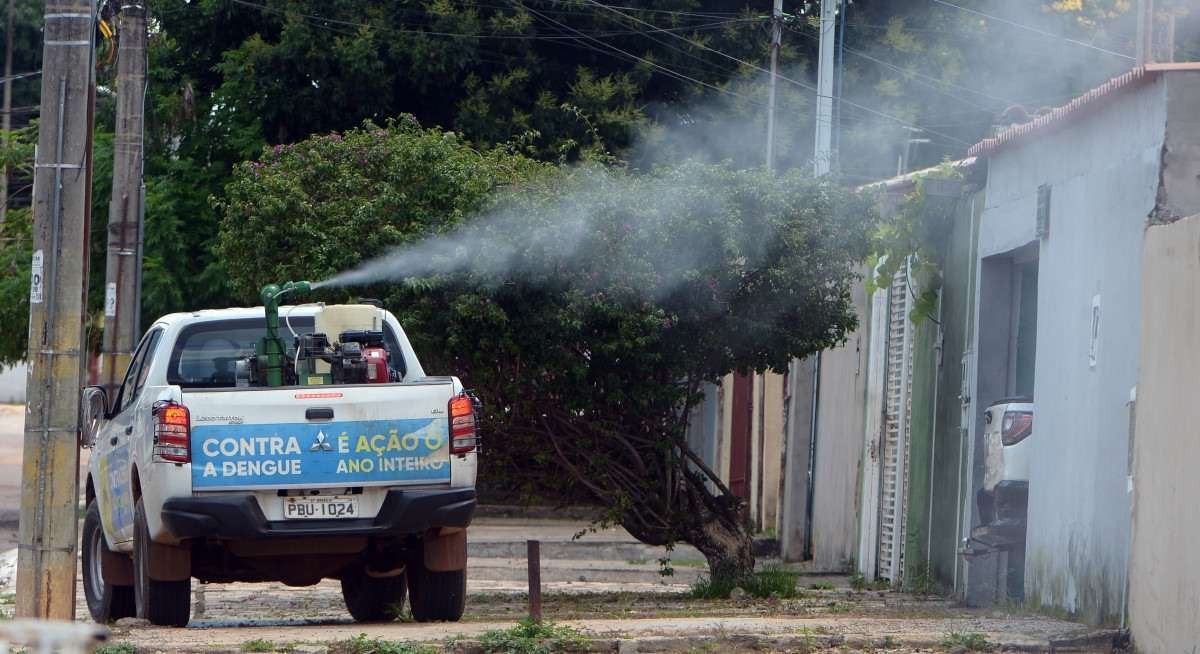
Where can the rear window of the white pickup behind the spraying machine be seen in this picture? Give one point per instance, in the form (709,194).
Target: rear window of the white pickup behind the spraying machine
(206,353)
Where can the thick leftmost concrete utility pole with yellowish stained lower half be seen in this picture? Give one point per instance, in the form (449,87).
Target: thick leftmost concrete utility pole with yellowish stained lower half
(58,303)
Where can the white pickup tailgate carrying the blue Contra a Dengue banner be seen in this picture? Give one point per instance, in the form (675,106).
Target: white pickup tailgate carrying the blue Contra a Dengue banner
(315,437)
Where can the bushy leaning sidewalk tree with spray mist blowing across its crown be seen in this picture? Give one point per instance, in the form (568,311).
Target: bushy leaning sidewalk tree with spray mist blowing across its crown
(586,305)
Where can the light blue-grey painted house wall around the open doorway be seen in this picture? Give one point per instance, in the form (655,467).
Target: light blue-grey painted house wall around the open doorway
(1105,171)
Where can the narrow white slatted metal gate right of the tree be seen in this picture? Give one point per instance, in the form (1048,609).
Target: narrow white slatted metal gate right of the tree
(895,447)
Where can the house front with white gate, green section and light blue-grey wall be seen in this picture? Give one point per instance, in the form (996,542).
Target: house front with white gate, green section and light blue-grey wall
(1041,298)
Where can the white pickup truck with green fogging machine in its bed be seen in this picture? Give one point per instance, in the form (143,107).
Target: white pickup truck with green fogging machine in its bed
(202,472)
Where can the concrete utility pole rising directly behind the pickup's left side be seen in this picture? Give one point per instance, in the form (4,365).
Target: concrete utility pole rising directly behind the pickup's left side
(123,274)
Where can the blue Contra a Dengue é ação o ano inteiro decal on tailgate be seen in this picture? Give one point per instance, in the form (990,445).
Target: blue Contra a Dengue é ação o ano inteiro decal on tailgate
(329,453)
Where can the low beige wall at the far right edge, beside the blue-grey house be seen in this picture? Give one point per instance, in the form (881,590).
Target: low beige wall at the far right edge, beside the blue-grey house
(1165,571)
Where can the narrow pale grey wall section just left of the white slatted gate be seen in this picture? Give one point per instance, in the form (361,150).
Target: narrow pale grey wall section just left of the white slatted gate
(841,416)
